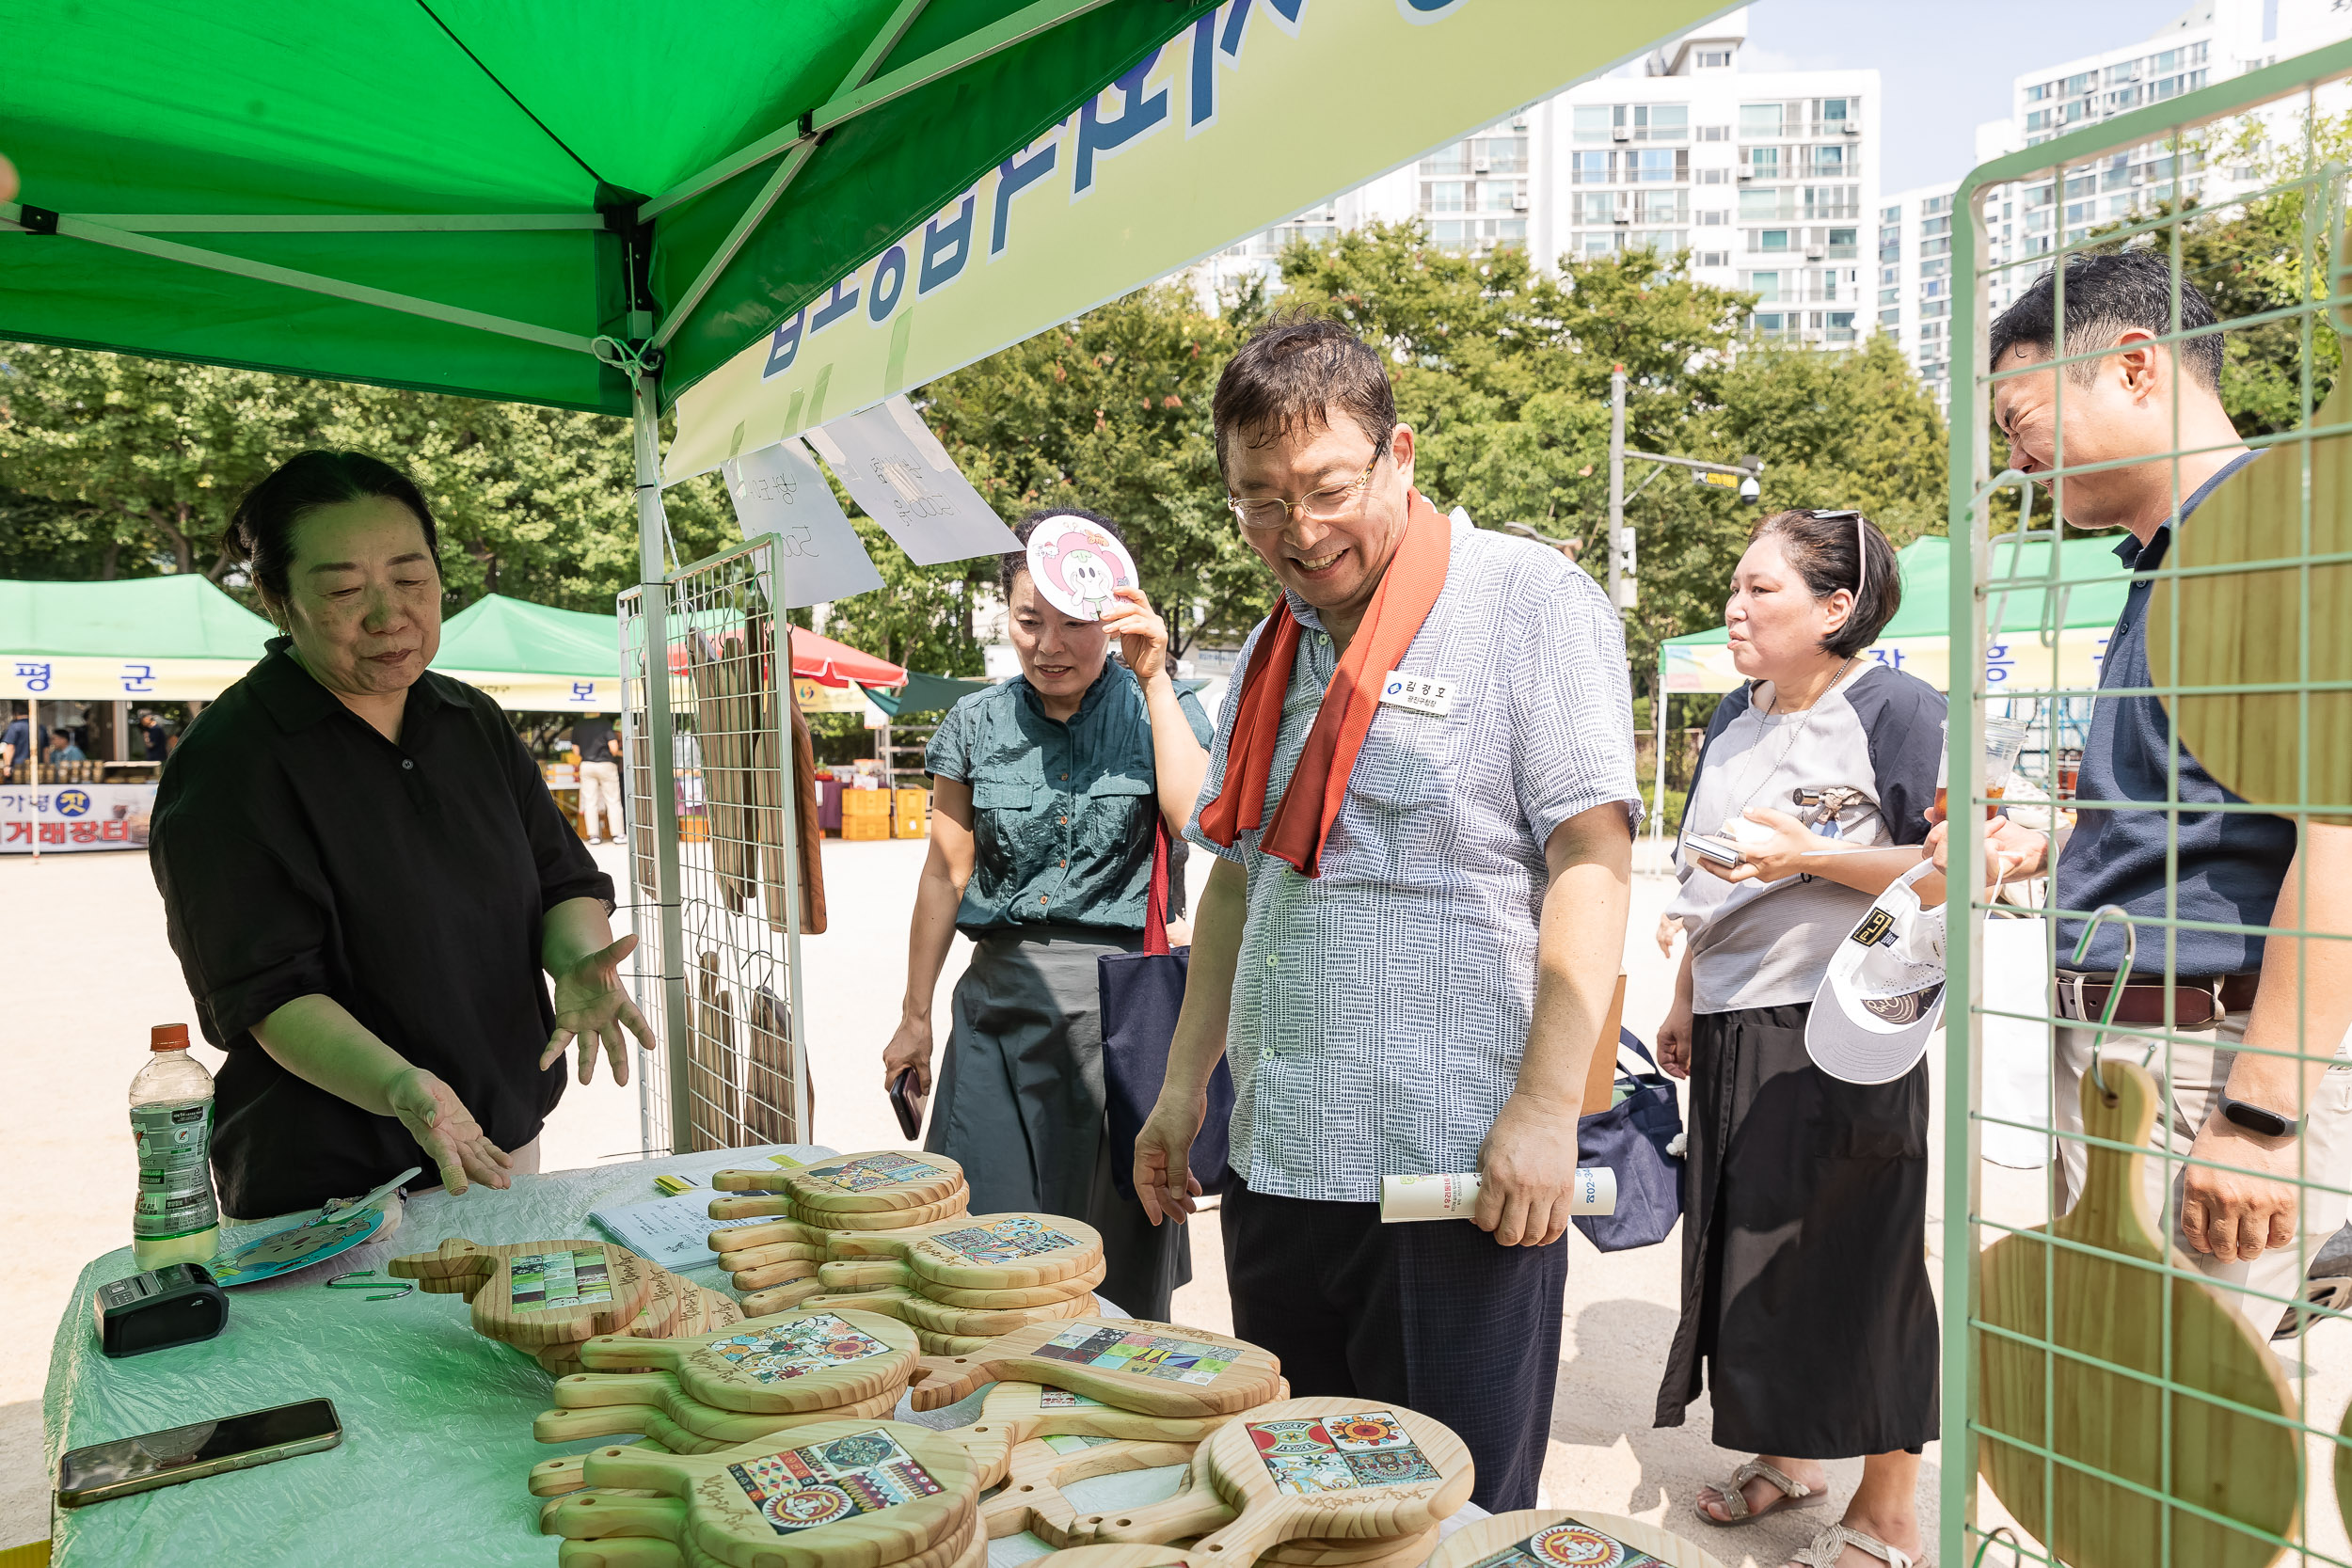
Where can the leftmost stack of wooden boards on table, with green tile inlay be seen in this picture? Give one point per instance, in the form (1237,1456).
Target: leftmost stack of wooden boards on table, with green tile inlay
(549,1296)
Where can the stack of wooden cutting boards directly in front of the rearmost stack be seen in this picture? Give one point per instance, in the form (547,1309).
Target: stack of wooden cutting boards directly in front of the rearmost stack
(965,1282)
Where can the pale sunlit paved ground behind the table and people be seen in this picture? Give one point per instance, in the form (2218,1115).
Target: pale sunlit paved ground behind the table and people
(88,972)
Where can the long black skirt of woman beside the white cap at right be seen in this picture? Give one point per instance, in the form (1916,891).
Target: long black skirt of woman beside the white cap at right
(1803,1249)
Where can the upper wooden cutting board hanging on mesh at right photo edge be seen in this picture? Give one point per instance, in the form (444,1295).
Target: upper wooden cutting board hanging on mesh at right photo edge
(2247,629)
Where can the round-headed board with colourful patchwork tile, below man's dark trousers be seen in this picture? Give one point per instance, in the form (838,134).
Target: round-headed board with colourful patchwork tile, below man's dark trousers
(1339,1470)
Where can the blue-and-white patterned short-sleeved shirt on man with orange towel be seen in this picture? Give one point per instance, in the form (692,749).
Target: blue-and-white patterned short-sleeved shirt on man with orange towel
(1379,1010)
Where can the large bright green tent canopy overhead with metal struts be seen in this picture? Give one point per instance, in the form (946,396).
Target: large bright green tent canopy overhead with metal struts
(462,196)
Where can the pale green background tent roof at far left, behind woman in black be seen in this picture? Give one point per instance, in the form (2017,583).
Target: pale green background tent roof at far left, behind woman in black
(163,617)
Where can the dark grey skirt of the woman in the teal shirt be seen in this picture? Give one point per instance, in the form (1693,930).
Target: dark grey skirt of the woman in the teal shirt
(1020,1101)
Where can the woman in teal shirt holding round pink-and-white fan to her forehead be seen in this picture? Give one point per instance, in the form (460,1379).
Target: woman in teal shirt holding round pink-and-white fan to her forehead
(1043,808)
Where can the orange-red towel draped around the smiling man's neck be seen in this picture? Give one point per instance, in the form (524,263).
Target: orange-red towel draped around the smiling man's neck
(1304,817)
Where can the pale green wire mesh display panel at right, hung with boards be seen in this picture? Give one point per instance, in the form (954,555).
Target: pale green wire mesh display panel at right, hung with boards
(2118,1395)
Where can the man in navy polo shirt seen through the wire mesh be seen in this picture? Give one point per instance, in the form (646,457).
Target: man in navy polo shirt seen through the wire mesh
(2261,1120)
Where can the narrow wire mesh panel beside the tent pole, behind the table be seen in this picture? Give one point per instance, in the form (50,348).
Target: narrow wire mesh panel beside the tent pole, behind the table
(719,864)
